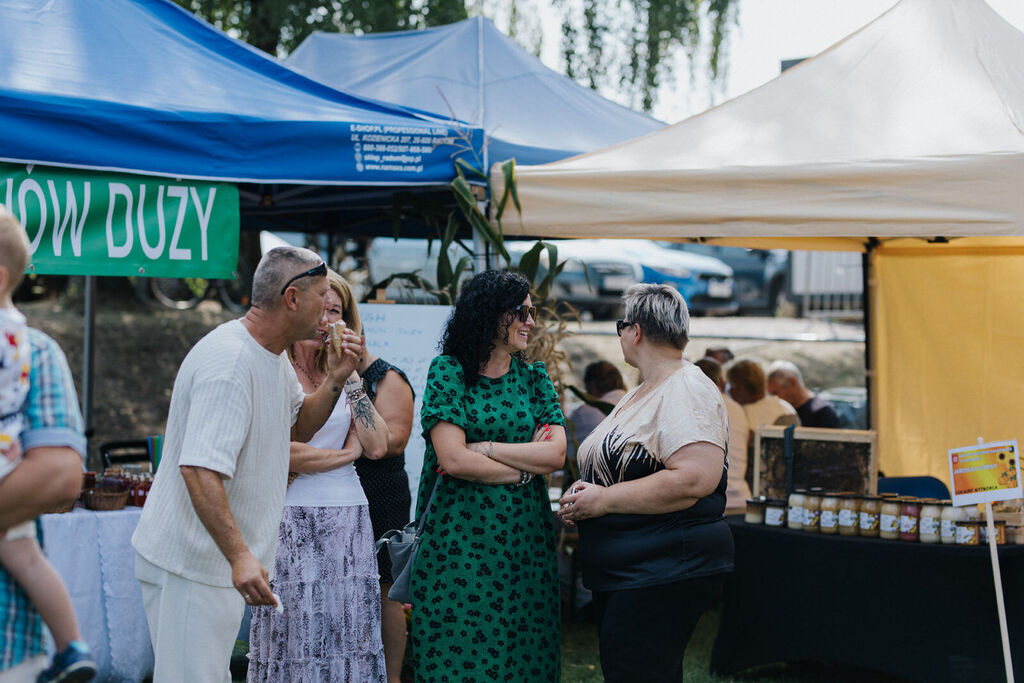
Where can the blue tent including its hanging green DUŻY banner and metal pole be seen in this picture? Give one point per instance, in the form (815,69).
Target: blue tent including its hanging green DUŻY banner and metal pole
(117,93)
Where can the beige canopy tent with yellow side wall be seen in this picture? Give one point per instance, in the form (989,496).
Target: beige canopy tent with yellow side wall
(906,141)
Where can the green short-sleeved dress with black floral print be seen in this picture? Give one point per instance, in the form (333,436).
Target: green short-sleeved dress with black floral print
(485,582)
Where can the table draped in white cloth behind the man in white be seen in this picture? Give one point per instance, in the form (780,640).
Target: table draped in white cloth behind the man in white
(93,553)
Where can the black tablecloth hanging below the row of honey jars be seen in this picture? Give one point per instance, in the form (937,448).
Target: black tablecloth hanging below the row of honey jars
(918,611)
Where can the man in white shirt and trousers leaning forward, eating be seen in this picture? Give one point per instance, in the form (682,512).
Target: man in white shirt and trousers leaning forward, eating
(210,525)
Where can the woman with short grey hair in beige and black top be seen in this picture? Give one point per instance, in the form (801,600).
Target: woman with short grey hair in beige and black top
(654,543)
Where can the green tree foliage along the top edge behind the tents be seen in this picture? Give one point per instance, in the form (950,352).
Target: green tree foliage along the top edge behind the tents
(623,46)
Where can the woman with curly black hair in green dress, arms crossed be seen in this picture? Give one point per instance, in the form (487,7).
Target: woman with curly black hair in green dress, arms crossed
(485,580)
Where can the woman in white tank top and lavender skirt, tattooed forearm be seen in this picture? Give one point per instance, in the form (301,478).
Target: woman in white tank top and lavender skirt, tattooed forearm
(326,569)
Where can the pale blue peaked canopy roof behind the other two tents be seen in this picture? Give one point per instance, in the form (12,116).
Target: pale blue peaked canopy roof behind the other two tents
(472,72)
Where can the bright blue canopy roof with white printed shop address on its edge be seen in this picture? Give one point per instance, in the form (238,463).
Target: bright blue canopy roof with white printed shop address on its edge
(146,88)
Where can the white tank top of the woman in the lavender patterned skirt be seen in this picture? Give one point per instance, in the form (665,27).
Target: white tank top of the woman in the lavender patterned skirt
(334,489)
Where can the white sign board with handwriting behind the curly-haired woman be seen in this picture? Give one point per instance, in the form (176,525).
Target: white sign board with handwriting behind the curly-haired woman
(407,337)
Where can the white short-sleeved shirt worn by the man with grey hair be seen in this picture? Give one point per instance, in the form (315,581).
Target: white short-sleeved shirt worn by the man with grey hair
(232,411)
